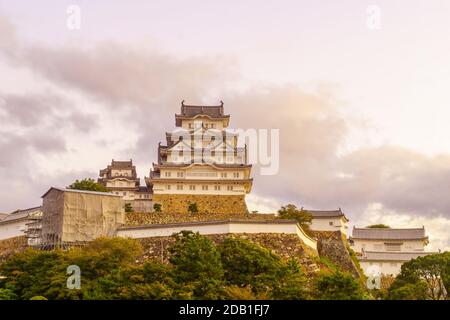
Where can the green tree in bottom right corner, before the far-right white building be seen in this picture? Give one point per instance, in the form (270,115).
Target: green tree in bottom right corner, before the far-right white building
(423,278)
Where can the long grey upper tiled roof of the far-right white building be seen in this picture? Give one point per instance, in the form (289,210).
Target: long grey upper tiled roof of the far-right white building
(389,234)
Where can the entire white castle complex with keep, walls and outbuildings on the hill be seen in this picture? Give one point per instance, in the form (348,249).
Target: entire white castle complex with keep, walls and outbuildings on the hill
(203,170)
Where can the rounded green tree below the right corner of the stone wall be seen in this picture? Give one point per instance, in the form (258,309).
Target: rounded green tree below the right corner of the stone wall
(338,286)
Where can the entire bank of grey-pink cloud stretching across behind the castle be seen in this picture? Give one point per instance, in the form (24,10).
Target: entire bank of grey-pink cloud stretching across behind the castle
(138,89)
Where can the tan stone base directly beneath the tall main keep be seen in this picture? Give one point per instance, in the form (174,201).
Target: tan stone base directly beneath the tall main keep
(179,203)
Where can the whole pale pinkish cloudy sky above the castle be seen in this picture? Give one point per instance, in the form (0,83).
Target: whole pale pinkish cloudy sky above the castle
(359,90)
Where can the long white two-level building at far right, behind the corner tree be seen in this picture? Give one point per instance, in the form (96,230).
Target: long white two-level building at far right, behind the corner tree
(384,250)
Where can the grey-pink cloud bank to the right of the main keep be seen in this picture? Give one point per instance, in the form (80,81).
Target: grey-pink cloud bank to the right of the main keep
(312,173)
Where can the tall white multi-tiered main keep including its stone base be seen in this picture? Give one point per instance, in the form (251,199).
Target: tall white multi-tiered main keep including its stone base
(201,163)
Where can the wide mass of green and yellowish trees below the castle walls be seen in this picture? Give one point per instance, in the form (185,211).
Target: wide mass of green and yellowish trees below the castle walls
(198,269)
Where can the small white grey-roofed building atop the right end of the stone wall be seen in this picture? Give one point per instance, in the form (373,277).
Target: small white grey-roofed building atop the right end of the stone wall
(331,220)
